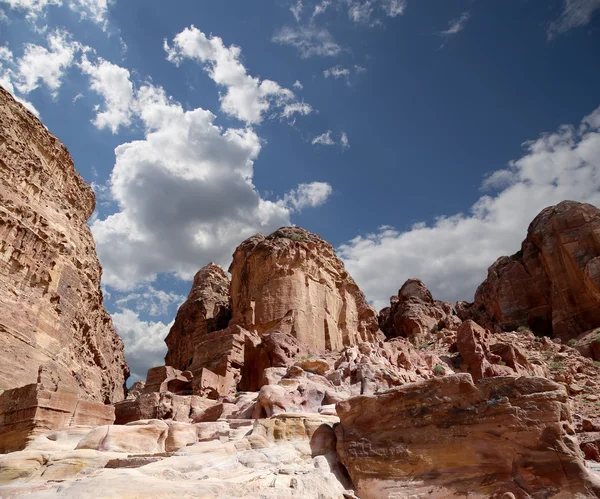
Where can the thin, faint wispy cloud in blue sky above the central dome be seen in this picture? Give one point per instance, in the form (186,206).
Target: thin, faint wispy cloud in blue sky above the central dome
(309,40)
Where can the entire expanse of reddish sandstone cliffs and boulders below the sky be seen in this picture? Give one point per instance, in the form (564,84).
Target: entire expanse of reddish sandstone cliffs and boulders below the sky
(279,383)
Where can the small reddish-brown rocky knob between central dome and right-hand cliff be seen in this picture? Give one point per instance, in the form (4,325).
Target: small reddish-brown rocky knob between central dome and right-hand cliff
(414,313)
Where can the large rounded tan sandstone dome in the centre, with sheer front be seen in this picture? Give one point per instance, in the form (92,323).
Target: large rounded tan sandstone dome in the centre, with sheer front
(294,281)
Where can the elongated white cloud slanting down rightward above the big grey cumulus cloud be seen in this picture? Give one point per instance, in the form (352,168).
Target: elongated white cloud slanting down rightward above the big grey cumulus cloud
(247,98)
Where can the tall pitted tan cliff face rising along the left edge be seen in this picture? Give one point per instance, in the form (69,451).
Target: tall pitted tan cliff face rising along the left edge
(52,307)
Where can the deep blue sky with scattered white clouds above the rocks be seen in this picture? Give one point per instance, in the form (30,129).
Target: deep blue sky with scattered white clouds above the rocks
(420,138)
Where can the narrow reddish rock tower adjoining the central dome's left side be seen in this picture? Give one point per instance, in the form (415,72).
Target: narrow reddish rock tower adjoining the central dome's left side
(206,310)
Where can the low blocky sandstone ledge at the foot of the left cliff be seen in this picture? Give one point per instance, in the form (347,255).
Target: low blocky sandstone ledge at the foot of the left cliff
(31,410)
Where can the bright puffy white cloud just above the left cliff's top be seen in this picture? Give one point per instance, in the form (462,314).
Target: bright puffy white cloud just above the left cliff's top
(41,65)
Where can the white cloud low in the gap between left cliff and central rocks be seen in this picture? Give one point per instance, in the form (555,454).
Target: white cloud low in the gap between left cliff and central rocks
(144,341)
